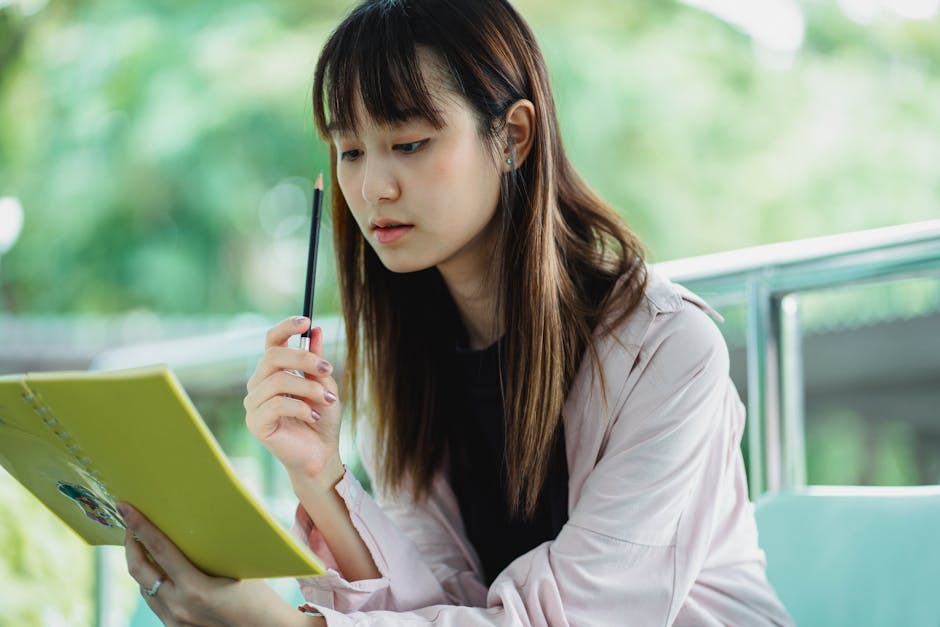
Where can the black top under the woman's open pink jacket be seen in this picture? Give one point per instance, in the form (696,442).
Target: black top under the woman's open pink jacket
(478,468)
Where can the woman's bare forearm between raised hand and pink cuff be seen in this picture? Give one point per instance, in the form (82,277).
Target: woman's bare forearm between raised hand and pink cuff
(328,512)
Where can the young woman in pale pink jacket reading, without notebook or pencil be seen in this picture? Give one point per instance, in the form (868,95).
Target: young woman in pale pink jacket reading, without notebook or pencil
(552,432)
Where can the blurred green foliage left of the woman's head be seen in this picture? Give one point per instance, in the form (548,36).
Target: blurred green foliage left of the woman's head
(147,143)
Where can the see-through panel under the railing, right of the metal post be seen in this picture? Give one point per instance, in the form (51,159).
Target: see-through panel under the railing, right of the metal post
(871,371)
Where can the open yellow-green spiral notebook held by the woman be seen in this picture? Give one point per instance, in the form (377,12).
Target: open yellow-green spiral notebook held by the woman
(83,441)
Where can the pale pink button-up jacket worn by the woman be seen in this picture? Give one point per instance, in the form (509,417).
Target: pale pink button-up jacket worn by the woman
(660,531)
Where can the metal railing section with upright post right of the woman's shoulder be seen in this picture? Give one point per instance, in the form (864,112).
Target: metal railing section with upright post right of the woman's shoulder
(768,280)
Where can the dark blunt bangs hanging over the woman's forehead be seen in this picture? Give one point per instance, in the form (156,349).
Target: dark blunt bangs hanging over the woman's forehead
(372,56)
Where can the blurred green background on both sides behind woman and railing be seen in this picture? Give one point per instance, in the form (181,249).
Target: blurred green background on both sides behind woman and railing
(156,161)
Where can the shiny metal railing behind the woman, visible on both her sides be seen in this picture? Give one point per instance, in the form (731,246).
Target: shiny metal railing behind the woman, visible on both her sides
(767,280)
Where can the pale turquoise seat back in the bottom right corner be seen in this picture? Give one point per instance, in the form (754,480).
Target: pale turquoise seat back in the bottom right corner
(854,555)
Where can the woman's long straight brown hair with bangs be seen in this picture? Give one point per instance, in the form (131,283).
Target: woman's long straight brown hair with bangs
(558,241)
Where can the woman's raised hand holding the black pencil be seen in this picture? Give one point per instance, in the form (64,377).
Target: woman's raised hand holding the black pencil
(296,418)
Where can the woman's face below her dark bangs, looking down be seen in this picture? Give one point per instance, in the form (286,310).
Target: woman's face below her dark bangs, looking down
(440,185)
